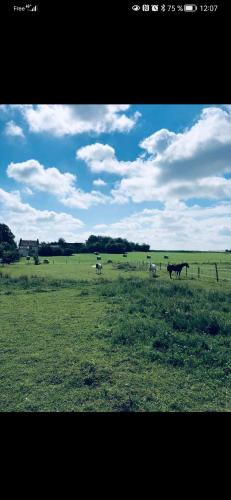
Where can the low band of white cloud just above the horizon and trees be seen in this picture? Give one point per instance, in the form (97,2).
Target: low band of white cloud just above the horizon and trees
(175,226)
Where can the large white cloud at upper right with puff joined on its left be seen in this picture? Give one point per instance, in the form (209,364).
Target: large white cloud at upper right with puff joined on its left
(184,165)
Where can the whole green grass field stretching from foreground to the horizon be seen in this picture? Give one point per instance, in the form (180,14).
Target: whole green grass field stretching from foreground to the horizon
(71,340)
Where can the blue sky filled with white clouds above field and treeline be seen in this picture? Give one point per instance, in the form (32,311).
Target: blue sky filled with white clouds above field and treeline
(159,174)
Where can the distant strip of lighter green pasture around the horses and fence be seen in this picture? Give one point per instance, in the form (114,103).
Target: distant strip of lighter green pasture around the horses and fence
(78,267)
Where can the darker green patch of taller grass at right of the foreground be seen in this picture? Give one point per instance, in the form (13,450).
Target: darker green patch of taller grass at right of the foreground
(171,323)
